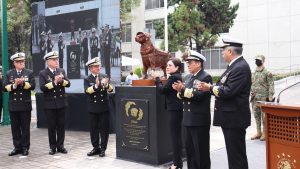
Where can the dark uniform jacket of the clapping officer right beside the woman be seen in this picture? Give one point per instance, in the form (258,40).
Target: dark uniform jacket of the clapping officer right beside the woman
(196,104)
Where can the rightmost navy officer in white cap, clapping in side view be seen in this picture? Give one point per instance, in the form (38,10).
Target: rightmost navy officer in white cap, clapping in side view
(232,111)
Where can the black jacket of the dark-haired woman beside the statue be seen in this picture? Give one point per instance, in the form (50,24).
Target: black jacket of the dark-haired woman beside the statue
(173,102)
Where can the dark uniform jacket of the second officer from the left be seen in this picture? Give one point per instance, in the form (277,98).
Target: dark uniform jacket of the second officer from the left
(54,94)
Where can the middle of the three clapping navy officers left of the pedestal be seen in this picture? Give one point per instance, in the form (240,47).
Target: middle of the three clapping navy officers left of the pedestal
(53,81)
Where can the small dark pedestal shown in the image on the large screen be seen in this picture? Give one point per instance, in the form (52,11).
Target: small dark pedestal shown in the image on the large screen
(73,60)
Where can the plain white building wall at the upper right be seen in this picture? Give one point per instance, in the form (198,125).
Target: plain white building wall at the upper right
(271,28)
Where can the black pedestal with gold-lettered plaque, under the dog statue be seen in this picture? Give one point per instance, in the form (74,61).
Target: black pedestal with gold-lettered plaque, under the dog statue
(142,132)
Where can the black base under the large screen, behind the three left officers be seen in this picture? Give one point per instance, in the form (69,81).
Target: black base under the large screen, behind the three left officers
(77,117)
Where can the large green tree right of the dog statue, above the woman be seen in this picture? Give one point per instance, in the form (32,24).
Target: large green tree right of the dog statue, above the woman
(199,22)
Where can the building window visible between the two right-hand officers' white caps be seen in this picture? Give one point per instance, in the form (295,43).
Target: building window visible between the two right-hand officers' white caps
(214,58)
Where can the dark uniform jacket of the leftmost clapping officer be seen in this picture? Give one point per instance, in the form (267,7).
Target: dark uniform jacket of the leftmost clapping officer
(19,98)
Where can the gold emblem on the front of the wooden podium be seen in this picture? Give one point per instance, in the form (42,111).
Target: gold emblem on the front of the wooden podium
(285,161)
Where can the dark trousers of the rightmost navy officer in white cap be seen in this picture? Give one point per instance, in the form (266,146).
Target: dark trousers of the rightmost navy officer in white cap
(236,147)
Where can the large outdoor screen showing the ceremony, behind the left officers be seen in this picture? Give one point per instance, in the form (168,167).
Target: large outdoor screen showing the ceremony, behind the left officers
(78,30)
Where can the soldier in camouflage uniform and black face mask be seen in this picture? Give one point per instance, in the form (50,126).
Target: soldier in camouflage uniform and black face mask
(262,89)
